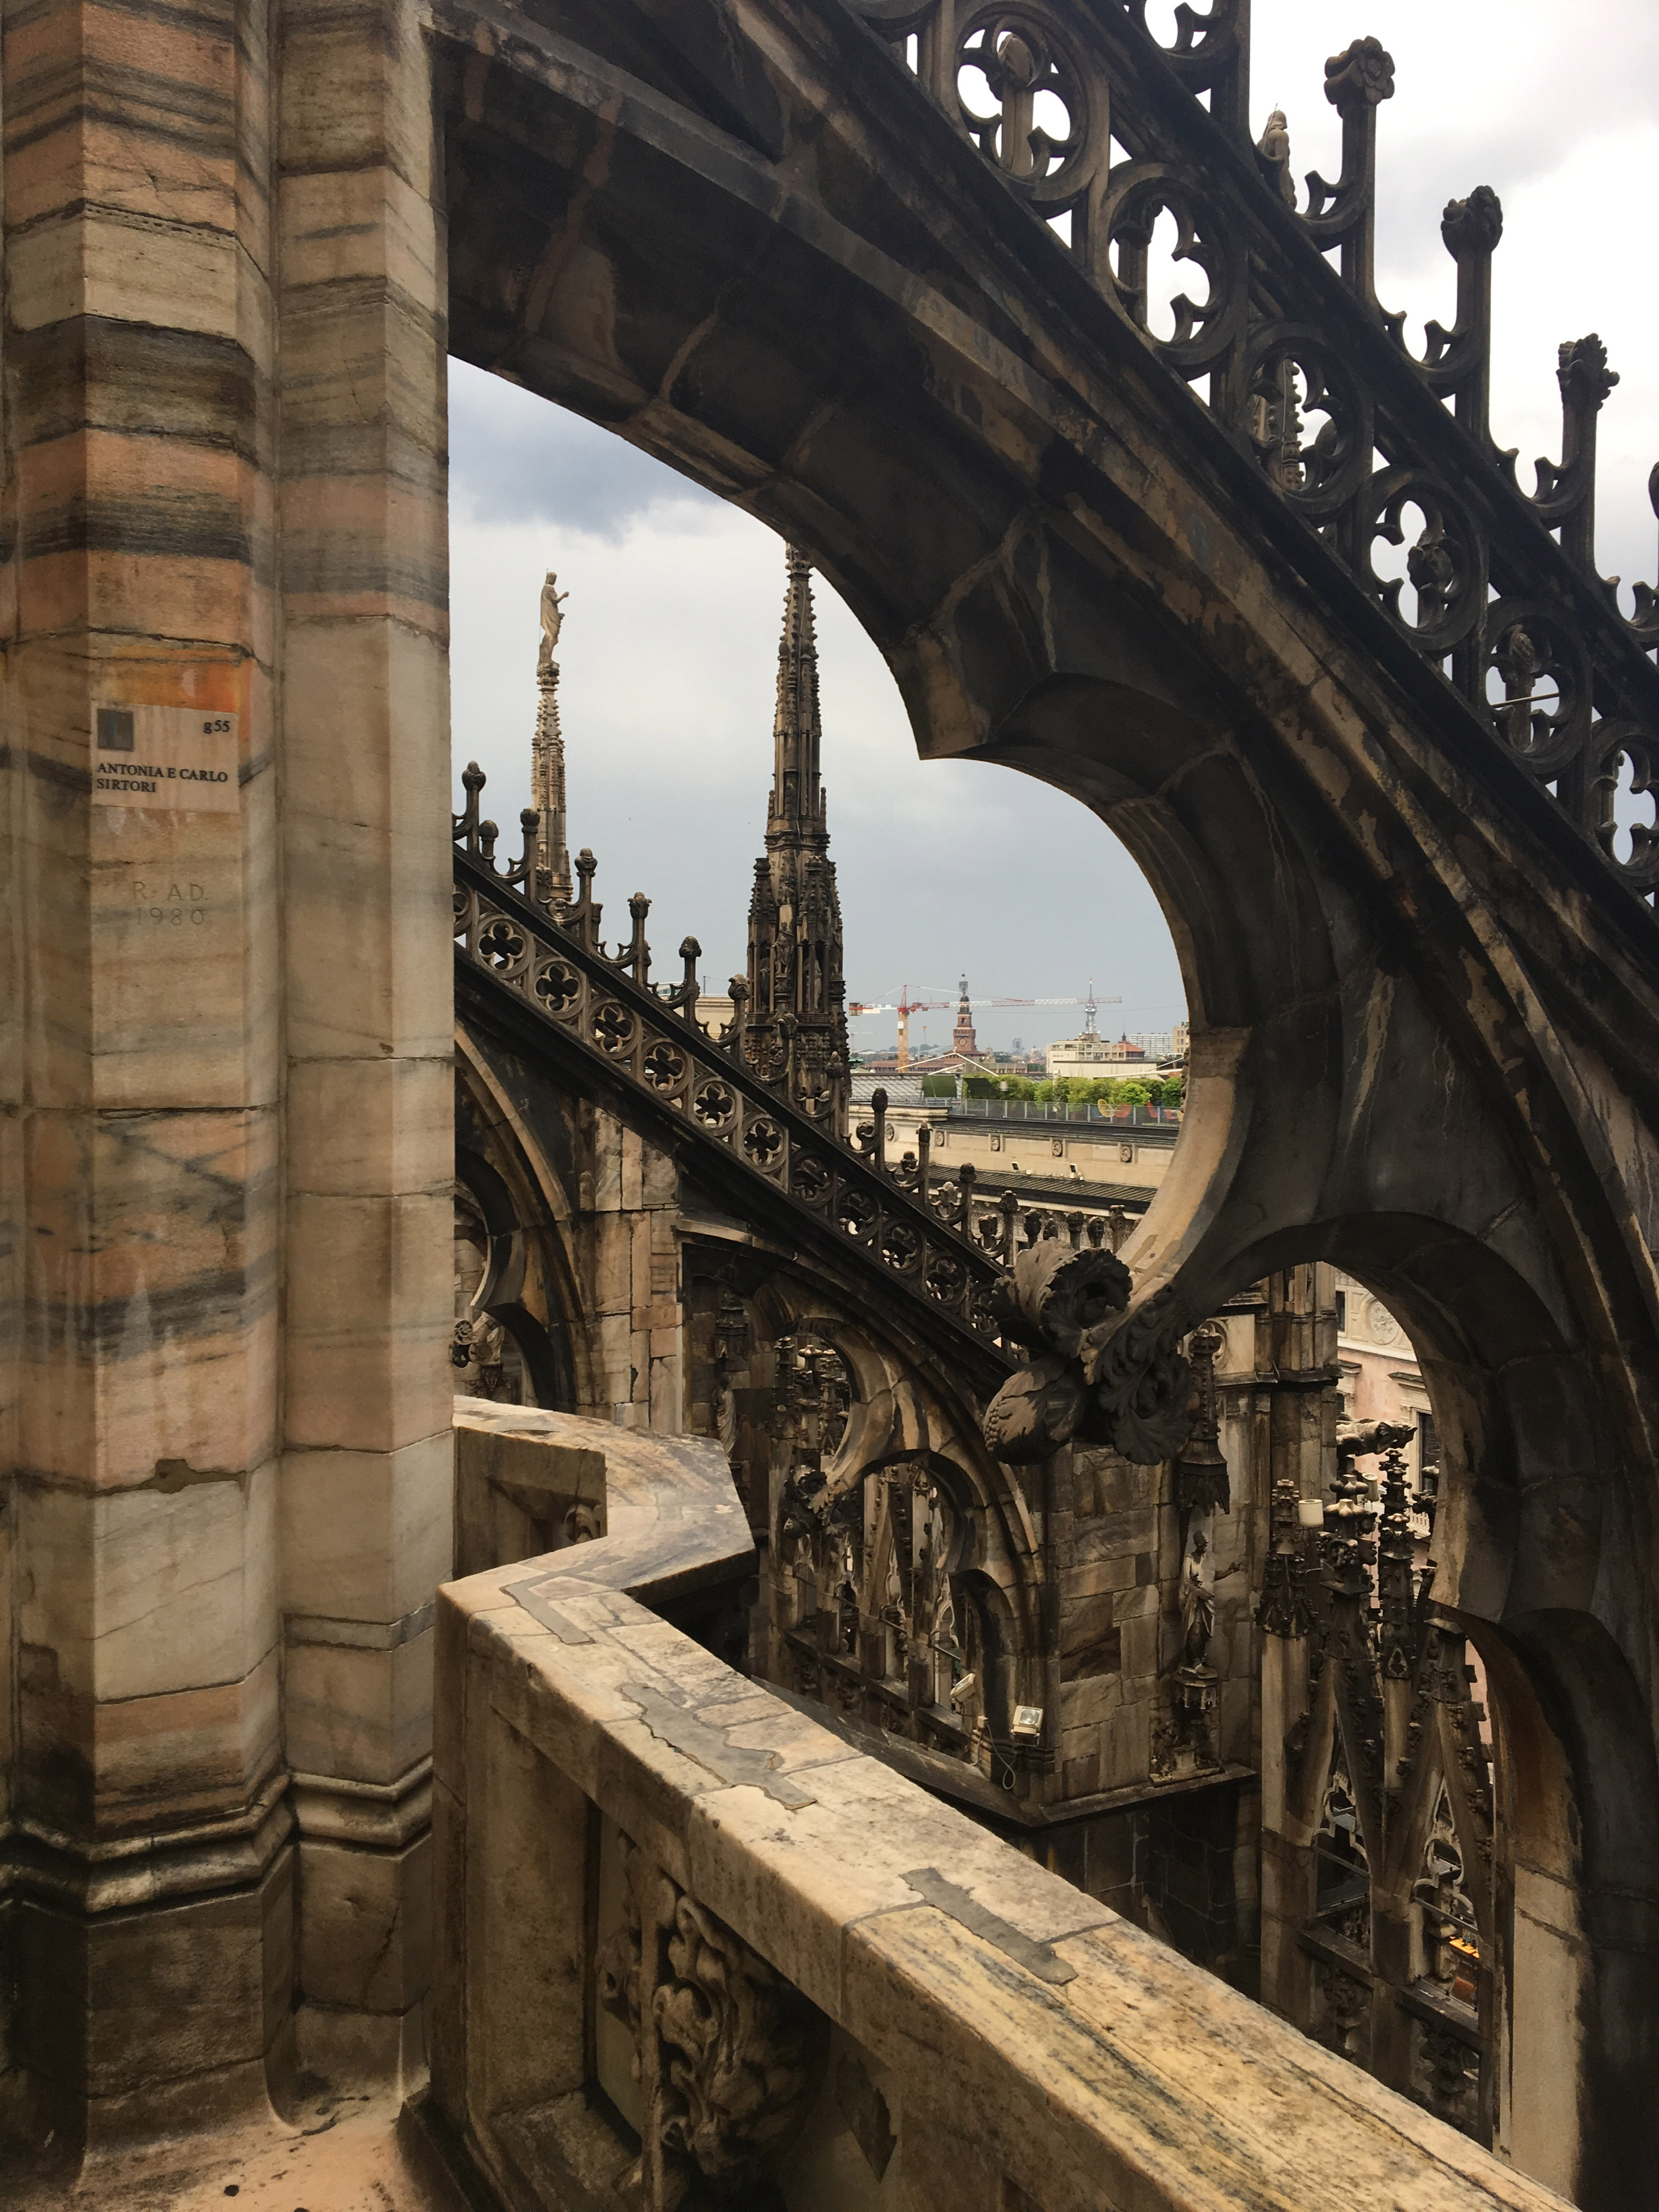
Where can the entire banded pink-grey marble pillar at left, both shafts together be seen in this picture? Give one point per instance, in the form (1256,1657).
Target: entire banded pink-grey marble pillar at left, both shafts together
(227,1054)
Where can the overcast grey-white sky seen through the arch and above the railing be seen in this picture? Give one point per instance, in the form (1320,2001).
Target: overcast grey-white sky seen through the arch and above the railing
(669,647)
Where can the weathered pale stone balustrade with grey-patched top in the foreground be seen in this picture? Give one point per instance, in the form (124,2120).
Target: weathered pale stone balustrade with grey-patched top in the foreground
(696,1950)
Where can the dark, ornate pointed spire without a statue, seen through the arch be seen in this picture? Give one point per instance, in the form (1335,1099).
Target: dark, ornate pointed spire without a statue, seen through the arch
(795,1027)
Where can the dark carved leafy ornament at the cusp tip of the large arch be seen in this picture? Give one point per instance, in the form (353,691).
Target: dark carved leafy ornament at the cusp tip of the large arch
(1094,1377)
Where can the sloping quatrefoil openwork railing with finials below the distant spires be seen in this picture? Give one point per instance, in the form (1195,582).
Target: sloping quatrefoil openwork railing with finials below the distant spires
(932,1235)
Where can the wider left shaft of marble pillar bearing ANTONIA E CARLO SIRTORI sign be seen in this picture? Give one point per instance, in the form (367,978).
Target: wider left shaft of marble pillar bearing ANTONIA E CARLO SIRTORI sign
(147,1861)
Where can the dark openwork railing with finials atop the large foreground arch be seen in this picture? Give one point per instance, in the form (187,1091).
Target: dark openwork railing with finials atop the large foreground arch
(1386,457)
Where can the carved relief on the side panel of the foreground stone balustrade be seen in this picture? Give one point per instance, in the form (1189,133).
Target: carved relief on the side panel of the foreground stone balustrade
(742,2052)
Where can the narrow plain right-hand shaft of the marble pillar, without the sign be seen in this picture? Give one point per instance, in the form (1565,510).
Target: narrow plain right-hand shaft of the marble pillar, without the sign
(368,1204)
